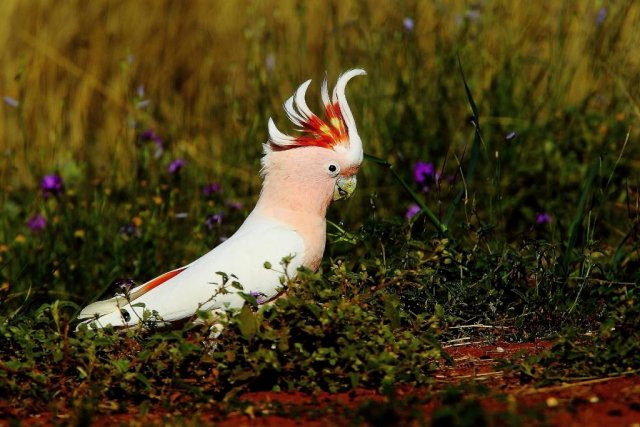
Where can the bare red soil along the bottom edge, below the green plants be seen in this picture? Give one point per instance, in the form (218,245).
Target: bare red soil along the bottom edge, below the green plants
(599,402)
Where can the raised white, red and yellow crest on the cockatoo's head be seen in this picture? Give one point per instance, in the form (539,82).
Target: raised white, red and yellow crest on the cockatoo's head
(339,129)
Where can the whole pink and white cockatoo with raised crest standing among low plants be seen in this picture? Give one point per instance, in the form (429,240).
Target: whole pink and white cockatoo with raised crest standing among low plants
(301,176)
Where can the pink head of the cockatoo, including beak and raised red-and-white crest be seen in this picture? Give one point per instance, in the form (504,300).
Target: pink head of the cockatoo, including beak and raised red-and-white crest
(327,154)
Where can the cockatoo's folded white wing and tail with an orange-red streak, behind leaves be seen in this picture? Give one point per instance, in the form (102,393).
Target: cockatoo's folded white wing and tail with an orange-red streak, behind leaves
(178,294)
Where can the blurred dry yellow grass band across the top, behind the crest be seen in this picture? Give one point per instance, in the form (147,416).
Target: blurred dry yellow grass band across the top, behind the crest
(214,70)
